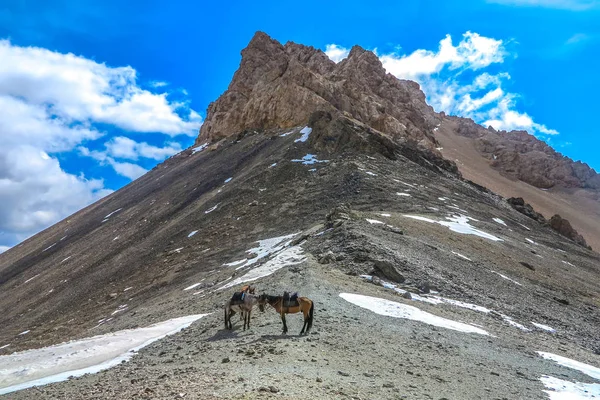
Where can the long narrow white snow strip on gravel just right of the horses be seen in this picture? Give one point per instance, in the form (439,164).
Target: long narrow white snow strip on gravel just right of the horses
(399,310)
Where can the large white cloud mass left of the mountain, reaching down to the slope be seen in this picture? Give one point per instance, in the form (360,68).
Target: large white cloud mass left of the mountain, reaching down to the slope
(52,103)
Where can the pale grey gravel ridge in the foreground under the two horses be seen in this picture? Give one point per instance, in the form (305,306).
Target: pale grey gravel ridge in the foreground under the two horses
(351,353)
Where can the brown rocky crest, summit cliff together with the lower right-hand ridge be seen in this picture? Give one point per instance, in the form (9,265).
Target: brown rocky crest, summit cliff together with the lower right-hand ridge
(281,86)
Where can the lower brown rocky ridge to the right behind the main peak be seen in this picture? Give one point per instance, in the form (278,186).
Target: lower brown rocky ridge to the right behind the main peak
(519,155)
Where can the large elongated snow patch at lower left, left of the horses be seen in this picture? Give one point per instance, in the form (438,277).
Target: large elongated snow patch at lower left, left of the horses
(57,363)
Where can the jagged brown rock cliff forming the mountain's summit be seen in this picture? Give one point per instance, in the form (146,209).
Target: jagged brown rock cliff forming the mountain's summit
(280,86)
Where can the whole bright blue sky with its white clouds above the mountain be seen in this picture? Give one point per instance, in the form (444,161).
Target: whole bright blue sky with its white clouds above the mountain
(141,74)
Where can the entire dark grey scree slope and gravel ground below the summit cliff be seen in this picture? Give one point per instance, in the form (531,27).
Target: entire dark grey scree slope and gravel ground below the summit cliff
(352,215)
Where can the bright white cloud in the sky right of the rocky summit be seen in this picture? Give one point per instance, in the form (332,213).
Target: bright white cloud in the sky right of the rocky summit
(442,76)
